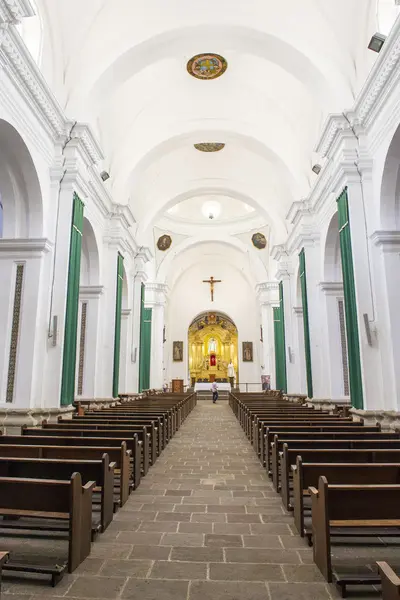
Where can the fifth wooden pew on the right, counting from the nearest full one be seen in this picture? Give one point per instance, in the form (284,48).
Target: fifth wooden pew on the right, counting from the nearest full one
(343,431)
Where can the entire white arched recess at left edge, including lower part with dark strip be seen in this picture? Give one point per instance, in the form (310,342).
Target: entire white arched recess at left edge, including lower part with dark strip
(21,216)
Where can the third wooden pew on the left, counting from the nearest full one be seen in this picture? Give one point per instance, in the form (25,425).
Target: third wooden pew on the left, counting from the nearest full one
(121,457)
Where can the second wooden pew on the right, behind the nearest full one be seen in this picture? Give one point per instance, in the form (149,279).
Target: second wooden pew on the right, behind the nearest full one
(306,475)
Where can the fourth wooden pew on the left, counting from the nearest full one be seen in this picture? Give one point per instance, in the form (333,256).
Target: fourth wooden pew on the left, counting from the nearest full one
(65,441)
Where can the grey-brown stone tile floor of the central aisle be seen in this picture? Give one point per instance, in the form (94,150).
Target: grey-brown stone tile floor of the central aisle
(205,524)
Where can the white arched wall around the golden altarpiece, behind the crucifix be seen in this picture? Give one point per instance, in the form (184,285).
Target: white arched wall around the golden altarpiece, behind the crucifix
(234,296)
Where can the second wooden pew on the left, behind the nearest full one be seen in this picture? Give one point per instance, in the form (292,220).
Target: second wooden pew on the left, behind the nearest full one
(99,471)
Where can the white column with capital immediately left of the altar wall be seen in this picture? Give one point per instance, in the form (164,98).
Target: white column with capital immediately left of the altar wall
(156,300)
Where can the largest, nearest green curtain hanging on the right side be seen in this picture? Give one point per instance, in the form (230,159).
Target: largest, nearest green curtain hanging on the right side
(353,342)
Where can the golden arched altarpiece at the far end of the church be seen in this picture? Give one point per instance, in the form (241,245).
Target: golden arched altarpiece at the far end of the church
(213,343)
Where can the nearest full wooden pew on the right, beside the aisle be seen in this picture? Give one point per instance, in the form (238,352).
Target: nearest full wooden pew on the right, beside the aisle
(353,506)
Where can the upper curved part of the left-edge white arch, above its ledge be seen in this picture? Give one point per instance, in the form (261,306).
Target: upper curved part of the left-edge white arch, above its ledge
(20,192)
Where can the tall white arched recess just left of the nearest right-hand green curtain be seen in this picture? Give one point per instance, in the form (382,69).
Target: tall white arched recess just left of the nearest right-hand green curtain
(332,288)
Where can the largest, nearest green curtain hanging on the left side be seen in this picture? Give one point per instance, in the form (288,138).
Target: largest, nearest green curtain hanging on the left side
(72,308)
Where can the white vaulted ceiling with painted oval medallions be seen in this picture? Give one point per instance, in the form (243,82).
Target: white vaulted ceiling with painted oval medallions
(121,66)
